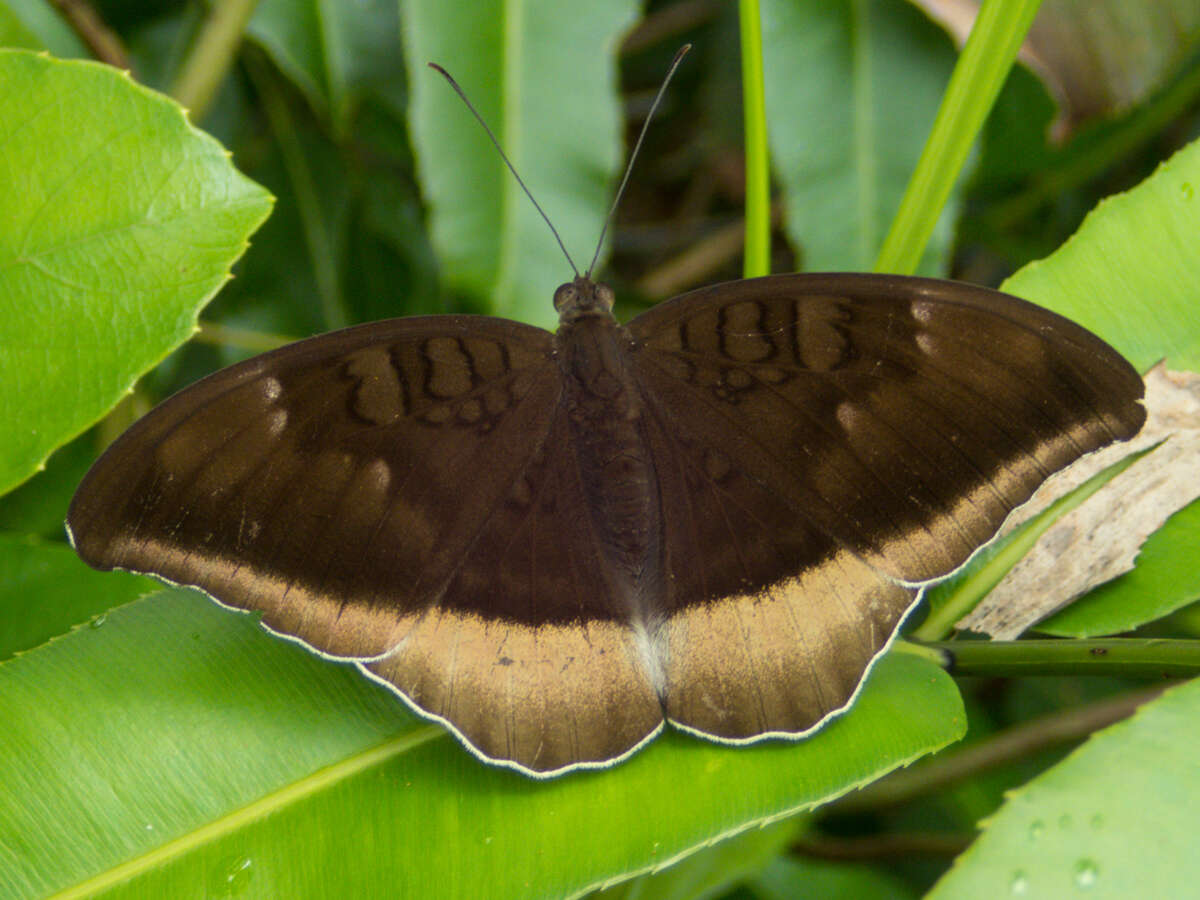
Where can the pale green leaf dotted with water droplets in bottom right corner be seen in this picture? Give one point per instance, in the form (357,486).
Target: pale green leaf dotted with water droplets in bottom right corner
(1117,819)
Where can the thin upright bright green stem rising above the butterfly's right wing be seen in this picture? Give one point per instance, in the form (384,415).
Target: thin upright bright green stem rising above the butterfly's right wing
(758,206)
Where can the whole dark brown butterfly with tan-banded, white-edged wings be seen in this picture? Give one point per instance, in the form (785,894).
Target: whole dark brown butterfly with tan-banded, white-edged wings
(717,515)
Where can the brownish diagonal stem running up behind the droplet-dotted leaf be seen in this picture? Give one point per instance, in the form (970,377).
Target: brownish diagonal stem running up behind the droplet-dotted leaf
(1001,749)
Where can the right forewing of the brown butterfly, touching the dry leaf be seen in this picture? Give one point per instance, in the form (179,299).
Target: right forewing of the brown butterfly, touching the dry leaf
(904,418)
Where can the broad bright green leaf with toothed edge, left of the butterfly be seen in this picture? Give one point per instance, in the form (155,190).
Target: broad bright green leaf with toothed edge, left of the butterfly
(121,221)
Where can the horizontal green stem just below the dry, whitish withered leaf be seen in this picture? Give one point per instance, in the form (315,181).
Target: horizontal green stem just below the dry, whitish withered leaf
(1130,657)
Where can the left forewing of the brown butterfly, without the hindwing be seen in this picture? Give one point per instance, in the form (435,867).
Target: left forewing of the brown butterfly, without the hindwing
(323,484)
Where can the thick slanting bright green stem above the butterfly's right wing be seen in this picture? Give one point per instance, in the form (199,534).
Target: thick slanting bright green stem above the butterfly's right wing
(981,71)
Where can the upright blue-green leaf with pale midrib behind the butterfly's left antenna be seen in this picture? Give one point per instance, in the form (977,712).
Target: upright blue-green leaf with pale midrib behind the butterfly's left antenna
(542,79)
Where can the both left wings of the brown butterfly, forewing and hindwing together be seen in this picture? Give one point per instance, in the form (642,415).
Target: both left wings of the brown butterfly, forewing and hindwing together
(401,493)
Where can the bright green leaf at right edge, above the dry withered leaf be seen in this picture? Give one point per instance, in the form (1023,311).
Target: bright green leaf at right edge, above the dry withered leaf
(1131,273)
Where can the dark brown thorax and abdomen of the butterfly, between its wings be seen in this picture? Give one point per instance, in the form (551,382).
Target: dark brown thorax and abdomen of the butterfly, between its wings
(604,411)
